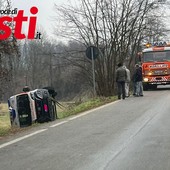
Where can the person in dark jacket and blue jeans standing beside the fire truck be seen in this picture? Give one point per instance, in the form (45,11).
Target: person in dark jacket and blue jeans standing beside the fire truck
(138,79)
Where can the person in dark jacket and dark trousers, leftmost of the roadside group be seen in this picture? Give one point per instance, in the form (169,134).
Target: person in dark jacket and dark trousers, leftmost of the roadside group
(121,77)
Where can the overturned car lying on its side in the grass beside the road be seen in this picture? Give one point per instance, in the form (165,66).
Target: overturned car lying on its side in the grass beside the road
(38,105)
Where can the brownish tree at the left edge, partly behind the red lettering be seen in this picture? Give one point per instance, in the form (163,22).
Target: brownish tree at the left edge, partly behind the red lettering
(8,53)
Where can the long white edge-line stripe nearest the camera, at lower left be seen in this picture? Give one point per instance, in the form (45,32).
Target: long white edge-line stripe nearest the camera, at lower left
(21,138)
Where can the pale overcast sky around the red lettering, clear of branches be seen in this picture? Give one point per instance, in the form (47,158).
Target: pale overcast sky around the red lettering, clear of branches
(45,13)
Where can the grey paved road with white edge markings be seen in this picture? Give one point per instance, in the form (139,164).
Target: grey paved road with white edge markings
(131,134)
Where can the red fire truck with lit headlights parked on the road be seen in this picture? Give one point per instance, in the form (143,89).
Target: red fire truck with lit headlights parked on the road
(156,65)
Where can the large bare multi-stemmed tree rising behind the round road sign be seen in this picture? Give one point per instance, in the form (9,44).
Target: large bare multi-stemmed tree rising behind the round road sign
(116,27)
